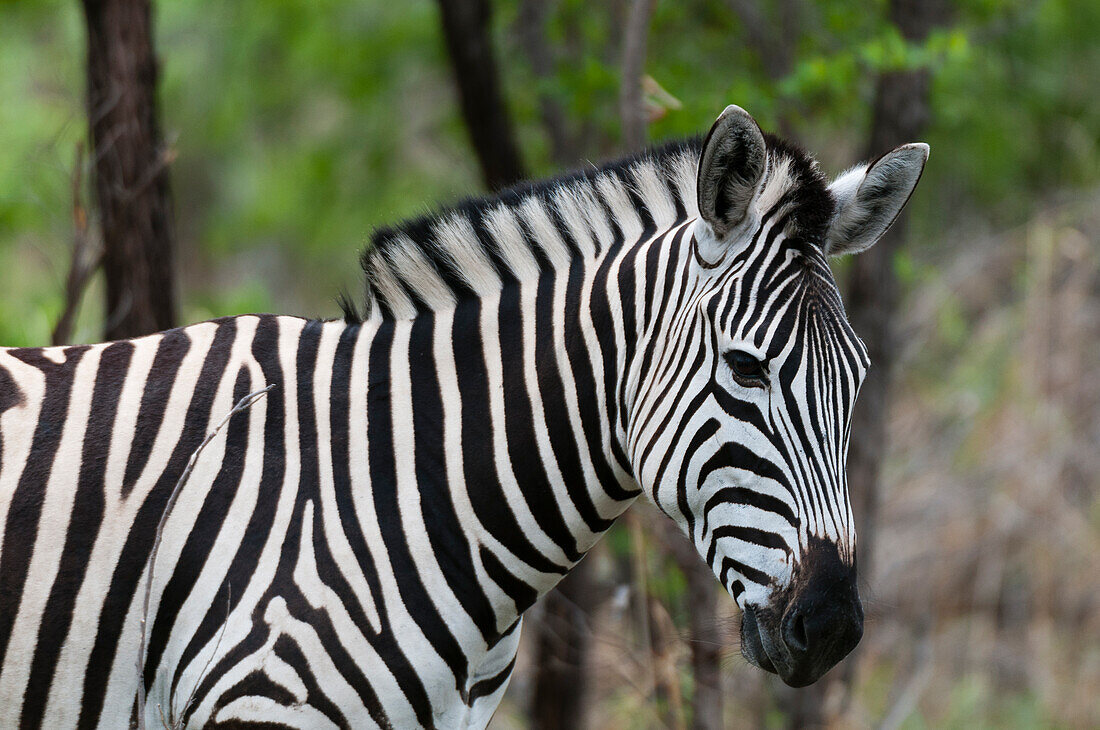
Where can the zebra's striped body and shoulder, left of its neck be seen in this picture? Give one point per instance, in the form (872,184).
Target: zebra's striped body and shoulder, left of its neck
(279,500)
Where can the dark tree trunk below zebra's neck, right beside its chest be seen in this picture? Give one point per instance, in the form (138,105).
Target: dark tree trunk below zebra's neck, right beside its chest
(565,635)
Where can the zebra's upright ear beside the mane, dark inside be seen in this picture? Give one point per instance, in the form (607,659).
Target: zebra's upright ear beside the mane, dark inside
(730,170)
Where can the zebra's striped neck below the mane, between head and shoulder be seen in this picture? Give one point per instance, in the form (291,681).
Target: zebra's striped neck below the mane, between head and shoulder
(494,425)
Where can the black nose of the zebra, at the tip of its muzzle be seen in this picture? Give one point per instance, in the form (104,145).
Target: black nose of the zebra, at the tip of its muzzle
(823,623)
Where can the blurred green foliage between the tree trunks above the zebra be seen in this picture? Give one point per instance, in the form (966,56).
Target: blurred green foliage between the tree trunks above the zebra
(300,126)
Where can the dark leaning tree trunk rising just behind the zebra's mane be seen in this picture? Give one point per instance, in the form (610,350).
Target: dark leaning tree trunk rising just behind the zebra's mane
(470,46)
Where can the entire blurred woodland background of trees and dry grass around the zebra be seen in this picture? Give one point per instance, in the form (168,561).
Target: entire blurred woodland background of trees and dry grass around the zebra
(246,169)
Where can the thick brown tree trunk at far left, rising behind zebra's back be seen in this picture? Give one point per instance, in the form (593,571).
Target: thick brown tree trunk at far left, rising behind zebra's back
(130,167)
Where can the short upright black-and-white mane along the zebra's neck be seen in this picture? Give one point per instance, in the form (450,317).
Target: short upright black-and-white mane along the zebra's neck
(472,248)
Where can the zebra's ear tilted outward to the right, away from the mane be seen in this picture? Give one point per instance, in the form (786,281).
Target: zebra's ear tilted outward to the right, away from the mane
(870,198)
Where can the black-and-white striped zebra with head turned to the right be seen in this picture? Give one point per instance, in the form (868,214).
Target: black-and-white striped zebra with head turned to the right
(358,549)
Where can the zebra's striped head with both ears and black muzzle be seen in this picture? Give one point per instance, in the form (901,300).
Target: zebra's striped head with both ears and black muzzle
(742,434)
